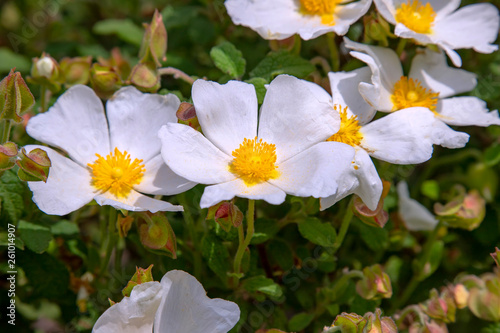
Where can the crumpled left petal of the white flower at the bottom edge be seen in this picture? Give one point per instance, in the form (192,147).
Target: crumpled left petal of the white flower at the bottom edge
(134,314)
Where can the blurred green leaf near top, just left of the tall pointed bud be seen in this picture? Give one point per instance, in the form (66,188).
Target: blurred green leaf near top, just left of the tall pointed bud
(125,29)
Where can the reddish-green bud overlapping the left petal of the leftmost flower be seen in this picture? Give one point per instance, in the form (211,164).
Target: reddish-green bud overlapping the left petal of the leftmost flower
(33,166)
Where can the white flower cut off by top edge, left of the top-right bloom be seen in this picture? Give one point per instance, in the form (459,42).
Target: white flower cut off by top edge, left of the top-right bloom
(280,19)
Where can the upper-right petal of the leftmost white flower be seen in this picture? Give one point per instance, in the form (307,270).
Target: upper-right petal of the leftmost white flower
(135,118)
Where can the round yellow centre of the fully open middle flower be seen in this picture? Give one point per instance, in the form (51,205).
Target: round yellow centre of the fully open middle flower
(254,161)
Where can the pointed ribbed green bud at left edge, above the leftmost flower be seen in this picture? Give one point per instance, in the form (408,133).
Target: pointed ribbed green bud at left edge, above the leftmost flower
(15,97)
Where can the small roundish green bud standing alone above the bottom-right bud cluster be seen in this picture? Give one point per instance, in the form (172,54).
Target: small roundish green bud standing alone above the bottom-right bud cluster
(375,284)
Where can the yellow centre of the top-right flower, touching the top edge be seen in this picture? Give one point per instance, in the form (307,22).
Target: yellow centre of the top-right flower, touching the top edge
(416,16)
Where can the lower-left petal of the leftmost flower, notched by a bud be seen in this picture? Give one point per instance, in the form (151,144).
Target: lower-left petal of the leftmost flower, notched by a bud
(67,188)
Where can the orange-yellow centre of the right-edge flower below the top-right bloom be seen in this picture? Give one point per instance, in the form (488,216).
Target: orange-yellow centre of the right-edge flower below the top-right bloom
(408,93)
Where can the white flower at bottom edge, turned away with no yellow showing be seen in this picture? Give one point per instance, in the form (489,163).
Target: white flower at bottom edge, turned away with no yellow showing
(177,304)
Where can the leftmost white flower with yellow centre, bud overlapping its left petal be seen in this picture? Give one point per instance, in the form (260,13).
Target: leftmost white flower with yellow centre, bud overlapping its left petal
(109,164)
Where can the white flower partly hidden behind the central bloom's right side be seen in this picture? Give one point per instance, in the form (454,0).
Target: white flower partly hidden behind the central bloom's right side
(399,138)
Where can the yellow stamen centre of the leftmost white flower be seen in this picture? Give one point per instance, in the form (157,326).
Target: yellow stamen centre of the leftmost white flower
(116,173)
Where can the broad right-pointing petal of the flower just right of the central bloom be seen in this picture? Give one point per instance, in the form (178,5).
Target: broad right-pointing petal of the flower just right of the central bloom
(402,137)
